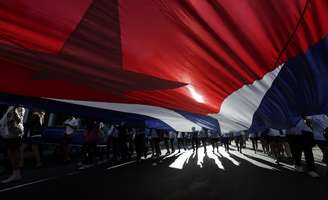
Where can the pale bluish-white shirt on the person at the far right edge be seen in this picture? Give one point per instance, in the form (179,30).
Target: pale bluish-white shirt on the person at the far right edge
(319,123)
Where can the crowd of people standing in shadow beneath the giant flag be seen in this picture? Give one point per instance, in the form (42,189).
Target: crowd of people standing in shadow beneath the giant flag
(125,143)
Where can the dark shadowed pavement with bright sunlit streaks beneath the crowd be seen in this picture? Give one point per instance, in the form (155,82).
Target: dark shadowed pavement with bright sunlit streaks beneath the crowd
(181,176)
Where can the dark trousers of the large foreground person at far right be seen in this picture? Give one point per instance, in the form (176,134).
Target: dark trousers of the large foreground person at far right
(299,144)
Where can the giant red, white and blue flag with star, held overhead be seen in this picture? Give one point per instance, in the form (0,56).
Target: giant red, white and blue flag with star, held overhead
(247,63)
